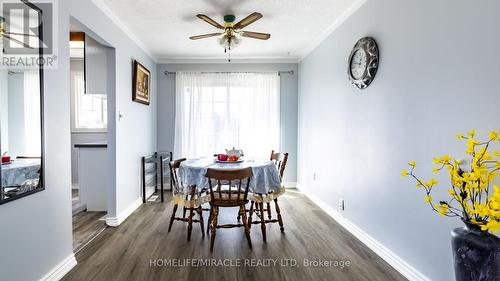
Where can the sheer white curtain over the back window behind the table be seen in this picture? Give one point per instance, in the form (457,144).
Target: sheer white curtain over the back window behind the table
(215,111)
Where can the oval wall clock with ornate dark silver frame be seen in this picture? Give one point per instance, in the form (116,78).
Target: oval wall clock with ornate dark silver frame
(363,62)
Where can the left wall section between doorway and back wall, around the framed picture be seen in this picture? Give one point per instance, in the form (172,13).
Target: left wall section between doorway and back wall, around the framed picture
(135,134)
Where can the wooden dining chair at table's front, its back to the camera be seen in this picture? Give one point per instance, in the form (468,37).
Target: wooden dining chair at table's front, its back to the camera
(228,188)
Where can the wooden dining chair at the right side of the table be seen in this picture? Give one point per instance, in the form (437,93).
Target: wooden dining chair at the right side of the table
(279,159)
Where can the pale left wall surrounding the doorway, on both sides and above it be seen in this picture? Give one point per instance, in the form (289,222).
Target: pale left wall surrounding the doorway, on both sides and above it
(39,226)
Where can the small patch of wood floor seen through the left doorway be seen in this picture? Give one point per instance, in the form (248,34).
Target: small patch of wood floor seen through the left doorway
(86,226)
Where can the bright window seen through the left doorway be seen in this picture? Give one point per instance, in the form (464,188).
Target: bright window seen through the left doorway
(90,112)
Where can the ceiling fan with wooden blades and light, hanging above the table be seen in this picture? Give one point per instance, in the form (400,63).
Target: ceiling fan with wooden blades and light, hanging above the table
(231,33)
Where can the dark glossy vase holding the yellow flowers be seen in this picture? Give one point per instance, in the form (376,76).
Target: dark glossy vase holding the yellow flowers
(476,254)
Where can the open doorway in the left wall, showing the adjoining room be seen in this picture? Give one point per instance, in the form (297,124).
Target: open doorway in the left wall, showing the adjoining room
(89,136)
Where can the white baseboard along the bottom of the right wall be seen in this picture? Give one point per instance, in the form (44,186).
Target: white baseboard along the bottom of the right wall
(390,257)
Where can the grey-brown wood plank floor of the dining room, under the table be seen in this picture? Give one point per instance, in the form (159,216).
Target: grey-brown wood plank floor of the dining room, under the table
(131,251)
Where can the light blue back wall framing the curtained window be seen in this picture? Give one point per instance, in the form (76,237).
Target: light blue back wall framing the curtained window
(166,104)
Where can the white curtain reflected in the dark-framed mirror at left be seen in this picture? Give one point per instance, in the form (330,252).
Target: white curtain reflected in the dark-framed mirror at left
(32,122)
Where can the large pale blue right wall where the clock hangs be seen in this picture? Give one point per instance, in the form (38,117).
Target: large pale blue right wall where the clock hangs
(437,63)
